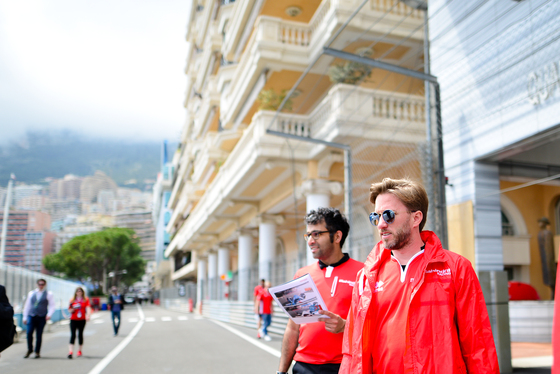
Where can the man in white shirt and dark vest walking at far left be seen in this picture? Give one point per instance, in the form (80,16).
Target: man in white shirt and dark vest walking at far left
(38,309)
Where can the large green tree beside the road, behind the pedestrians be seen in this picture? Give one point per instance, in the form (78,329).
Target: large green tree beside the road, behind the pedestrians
(92,256)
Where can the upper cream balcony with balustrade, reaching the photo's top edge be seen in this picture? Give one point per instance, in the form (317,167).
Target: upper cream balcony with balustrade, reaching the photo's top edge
(293,45)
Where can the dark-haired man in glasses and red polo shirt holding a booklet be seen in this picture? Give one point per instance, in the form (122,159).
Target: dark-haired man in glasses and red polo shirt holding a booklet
(317,347)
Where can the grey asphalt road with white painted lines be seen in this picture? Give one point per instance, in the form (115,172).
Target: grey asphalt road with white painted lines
(151,340)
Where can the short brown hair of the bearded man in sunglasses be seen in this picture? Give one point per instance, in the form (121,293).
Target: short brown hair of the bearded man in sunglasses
(410,193)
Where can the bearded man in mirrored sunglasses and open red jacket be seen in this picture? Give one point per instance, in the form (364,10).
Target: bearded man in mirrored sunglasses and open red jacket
(416,308)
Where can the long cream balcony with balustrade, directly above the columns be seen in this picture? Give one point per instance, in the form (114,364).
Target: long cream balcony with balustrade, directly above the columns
(336,116)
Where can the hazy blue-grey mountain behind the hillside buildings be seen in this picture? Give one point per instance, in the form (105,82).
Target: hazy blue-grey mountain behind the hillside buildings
(56,153)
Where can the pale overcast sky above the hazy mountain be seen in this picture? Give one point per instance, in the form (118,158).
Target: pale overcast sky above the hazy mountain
(100,67)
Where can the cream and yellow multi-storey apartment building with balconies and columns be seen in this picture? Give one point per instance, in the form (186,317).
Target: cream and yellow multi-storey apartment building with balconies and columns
(240,192)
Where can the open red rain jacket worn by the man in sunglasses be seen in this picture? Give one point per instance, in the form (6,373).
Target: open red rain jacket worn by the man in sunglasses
(448,329)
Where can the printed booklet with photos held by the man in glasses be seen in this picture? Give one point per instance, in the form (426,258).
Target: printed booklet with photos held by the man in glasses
(300,299)
